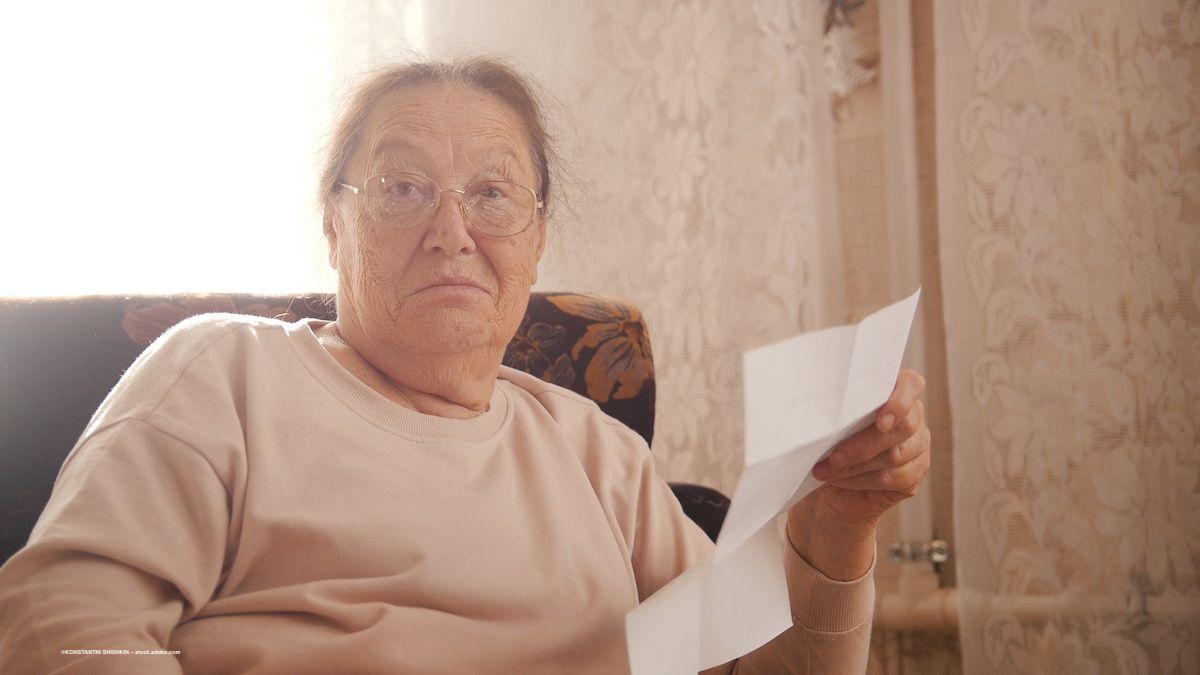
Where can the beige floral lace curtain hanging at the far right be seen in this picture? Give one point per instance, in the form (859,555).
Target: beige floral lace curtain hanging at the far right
(1070,201)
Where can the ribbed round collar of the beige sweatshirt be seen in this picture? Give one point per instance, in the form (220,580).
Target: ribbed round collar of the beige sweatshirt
(377,409)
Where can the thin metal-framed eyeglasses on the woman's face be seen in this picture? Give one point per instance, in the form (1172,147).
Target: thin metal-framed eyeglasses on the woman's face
(406,200)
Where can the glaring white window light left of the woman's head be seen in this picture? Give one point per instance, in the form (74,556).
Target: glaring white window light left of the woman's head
(163,147)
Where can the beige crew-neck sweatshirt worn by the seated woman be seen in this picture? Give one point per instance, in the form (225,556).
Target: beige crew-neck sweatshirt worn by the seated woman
(244,503)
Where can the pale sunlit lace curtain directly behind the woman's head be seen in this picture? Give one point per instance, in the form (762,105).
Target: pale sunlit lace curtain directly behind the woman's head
(689,144)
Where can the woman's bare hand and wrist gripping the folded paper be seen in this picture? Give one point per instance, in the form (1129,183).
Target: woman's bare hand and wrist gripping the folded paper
(833,528)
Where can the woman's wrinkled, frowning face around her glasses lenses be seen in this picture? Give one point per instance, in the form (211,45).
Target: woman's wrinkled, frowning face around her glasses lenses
(401,289)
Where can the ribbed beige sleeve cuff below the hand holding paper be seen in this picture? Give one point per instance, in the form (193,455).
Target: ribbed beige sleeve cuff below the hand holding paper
(820,604)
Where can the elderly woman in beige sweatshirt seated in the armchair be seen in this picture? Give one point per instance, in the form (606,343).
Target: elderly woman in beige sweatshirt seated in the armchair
(379,494)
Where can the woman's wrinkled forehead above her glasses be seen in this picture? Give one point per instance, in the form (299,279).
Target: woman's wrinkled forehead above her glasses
(445,129)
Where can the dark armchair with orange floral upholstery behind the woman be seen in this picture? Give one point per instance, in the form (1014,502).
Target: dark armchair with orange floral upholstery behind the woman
(59,359)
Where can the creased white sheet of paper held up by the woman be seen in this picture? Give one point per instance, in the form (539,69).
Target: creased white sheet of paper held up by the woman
(803,397)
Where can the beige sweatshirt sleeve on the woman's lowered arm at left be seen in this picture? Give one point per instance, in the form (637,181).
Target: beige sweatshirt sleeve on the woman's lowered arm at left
(131,543)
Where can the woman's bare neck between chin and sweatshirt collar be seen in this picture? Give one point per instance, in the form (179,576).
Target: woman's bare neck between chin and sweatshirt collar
(457,385)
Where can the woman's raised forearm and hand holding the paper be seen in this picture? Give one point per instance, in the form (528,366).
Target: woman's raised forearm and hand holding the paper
(832,533)
